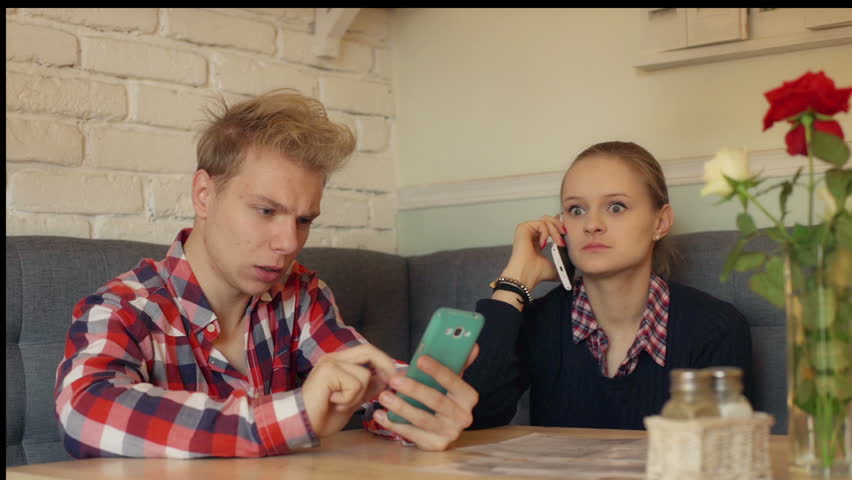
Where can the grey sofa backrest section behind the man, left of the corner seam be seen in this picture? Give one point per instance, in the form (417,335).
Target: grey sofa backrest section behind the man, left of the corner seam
(47,276)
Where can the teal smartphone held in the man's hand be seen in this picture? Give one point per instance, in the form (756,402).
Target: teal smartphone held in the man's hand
(448,338)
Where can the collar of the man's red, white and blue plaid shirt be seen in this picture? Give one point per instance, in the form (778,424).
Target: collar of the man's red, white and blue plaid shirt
(184,286)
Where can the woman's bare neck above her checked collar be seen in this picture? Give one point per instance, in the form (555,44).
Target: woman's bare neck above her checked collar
(618,301)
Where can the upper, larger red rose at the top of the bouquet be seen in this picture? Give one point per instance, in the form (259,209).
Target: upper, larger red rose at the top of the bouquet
(810,91)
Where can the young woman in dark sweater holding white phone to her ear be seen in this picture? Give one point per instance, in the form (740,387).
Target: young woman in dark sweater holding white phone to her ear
(599,355)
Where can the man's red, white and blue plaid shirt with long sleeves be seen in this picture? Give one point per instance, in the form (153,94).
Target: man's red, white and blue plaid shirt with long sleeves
(141,378)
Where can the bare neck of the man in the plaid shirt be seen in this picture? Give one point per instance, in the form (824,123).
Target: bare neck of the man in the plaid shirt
(227,303)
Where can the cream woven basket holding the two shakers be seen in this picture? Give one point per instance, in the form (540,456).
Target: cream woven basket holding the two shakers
(709,448)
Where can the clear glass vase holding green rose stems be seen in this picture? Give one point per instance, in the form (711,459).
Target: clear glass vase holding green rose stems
(819,356)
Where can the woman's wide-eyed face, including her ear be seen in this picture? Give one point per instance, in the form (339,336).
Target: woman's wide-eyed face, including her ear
(610,217)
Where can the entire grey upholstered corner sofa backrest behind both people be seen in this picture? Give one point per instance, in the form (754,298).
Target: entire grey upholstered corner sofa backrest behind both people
(388,298)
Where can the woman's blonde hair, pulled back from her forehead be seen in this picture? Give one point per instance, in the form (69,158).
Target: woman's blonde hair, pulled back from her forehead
(664,255)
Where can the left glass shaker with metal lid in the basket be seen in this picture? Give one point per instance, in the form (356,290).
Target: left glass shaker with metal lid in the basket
(691,395)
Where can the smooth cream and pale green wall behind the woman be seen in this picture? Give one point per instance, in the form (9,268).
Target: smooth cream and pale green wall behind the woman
(496,93)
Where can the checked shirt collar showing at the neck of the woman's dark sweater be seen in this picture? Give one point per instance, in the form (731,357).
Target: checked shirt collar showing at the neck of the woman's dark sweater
(650,338)
